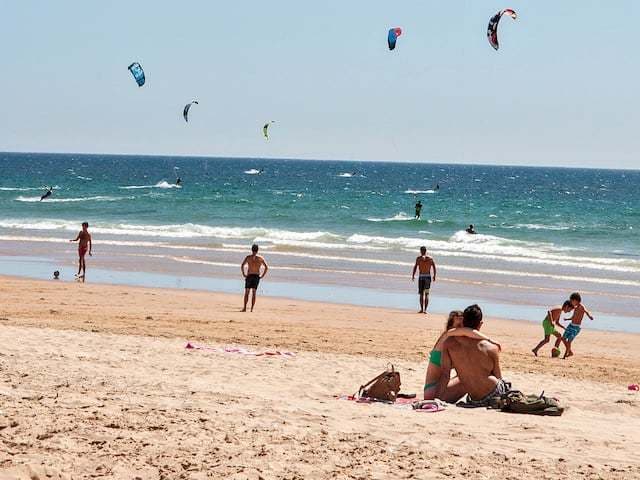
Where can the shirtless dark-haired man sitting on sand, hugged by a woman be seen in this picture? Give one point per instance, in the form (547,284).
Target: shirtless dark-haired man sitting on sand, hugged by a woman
(477,363)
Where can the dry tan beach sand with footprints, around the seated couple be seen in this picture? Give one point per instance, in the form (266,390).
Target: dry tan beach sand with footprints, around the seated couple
(96,383)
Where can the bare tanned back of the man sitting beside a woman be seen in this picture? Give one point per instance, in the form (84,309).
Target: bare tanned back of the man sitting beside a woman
(477,364)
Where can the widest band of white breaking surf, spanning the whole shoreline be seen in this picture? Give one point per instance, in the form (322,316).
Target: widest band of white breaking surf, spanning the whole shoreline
(479,247)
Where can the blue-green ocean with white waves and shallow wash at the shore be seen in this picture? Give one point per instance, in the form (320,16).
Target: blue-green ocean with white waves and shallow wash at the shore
(542,232)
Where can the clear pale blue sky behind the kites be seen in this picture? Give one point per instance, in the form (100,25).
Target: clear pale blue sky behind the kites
(563,89)
